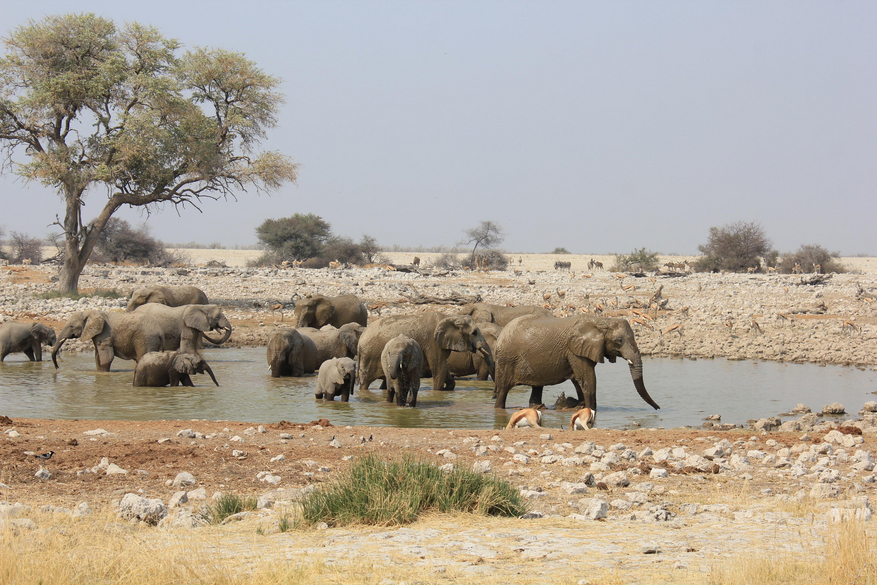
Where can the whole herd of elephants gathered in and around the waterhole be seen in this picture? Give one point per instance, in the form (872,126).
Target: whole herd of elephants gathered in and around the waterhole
(162,329)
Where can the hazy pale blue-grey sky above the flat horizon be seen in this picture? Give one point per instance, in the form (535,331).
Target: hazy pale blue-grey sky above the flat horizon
(600,127)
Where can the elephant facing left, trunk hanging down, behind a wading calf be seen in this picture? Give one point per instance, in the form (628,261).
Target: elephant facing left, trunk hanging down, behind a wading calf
(128,336)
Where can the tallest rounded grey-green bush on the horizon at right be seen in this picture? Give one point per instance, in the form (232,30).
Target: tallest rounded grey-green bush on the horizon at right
(734,247)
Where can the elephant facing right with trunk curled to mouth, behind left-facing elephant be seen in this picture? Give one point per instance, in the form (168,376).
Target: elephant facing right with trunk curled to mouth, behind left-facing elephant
(184,327)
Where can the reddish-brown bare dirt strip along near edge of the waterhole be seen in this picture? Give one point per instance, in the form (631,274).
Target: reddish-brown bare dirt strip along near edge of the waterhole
(152,453)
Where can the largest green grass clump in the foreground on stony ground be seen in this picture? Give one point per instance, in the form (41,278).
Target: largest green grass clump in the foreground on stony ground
(387,493)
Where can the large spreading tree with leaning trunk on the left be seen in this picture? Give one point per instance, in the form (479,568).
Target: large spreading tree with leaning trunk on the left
(95,106)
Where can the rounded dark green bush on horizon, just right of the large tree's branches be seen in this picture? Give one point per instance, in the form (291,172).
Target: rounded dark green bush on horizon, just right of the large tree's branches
(299,237)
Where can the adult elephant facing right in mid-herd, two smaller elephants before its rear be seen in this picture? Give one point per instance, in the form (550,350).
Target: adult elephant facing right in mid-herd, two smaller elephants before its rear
(437,335)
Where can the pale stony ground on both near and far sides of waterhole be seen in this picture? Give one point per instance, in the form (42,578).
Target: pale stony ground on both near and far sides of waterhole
(637,504)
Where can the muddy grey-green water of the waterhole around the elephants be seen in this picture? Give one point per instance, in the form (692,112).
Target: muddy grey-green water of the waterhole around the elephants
(687,391)
